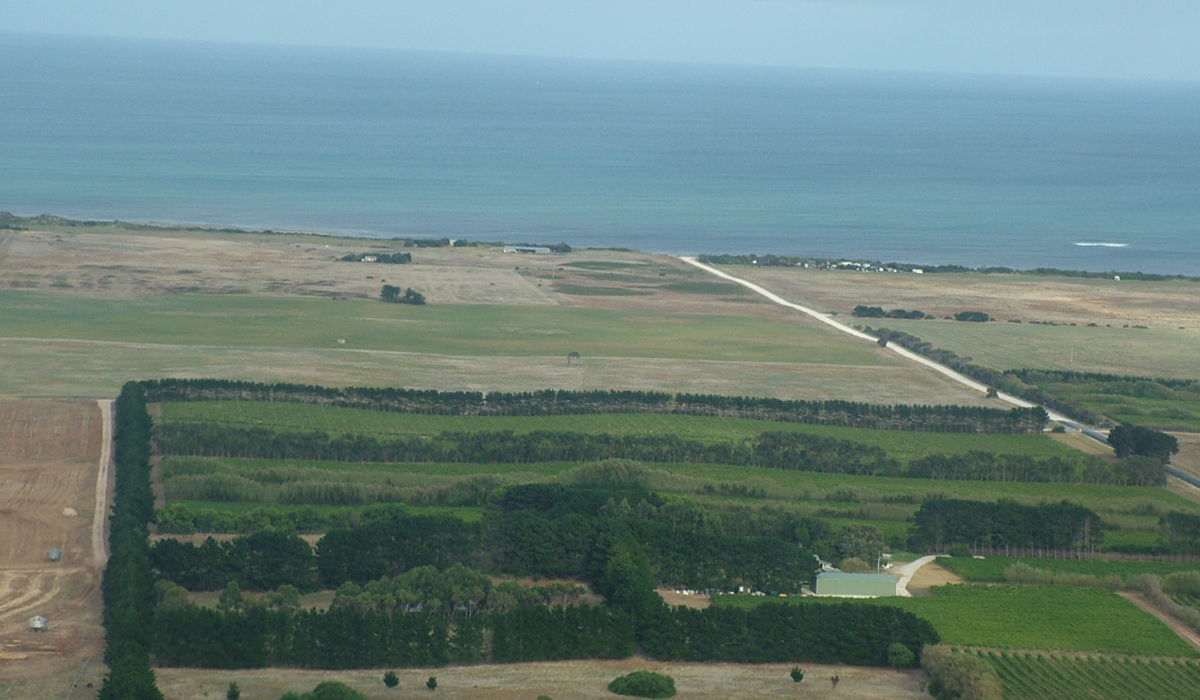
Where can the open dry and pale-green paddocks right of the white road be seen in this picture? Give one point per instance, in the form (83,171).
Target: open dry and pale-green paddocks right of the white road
(1066,324)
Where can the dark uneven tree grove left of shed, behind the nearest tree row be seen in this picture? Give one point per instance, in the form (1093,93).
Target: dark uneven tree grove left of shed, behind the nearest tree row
(541,530)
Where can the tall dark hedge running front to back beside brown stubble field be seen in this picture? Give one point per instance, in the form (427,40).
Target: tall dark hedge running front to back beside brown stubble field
(128,587)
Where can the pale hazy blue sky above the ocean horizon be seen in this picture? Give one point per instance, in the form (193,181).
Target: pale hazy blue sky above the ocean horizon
(1096,39)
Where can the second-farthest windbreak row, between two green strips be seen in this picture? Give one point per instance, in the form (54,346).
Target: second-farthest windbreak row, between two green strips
(778,451)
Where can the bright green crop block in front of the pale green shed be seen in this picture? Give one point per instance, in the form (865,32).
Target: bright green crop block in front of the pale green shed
(1028,618)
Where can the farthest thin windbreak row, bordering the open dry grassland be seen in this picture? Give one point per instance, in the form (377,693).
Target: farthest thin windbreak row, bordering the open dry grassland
(561,403)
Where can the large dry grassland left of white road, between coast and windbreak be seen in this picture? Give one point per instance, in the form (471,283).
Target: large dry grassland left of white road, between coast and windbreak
(93,309)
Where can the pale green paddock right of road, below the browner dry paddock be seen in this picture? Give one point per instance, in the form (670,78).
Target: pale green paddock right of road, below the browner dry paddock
(1155,352)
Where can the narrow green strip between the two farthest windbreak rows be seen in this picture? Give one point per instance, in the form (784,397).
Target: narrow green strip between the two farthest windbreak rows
(902,445)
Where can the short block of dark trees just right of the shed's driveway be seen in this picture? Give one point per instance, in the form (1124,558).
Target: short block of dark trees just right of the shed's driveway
(943,523)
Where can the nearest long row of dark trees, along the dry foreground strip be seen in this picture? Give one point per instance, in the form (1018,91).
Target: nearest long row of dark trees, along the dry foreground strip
(345,638)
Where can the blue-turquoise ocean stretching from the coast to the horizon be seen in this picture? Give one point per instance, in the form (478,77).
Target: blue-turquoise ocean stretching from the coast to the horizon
(677,159)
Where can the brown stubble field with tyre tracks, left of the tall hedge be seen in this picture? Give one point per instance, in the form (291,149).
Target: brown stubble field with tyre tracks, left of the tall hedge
(50,456)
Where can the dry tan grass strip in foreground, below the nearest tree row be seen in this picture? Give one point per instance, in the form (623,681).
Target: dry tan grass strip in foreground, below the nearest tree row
(561,680)
